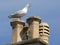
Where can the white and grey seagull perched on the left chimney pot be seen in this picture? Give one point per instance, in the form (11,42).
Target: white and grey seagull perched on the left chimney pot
(20,13)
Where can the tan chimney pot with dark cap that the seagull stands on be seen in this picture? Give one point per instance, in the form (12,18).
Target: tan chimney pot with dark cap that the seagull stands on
(17,26)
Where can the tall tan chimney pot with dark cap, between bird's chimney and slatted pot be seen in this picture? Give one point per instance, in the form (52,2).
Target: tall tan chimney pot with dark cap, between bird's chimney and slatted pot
(33,23)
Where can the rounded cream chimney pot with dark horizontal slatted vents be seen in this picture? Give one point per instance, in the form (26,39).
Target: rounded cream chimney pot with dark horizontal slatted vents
(44,31)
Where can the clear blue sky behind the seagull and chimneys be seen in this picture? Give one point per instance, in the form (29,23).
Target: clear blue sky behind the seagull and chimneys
(47,10)
